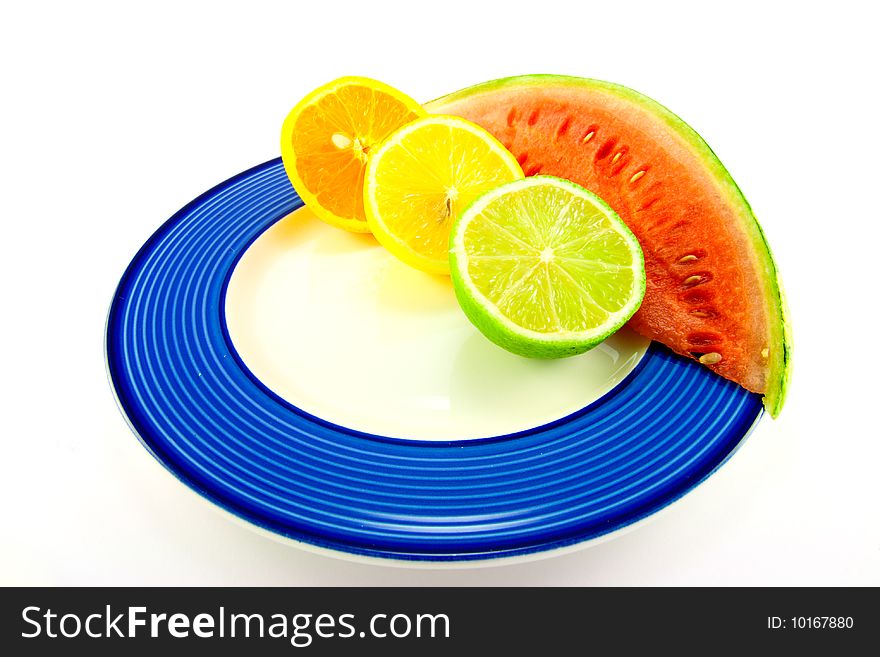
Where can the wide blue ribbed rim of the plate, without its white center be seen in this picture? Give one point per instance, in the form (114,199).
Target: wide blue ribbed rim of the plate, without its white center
(199,410)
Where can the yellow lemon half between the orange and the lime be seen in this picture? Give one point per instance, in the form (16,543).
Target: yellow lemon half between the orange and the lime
(422,176)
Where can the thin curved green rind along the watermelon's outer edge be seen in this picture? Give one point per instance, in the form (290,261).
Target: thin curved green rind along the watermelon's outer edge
(781,341)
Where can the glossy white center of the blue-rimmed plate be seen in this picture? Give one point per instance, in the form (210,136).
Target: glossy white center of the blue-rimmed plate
(337,326)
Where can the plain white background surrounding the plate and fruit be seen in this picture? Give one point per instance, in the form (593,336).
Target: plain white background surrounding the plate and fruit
(113,118)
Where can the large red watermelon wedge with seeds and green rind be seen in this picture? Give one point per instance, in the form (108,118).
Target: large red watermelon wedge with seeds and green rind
(713,293)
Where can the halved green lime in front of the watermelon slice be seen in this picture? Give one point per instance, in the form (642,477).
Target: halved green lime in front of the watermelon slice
(545,268)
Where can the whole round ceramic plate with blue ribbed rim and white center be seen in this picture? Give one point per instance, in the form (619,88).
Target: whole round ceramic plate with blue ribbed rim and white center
(304,380)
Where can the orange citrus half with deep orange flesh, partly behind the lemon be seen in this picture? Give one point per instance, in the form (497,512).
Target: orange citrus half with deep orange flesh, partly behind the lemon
(326,138)
